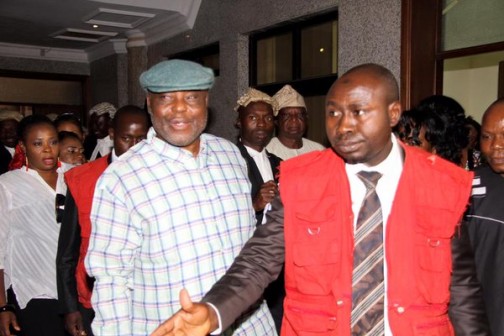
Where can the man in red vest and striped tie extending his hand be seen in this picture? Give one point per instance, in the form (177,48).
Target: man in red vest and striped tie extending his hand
(400,281)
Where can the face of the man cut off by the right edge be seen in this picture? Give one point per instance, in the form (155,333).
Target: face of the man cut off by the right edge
(492,137)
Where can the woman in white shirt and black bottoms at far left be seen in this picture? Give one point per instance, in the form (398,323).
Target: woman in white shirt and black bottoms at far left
(30,207)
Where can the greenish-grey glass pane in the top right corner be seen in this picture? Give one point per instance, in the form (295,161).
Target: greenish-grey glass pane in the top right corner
(471,23)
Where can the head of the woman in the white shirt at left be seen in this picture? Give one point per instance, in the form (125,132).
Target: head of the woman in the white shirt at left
(41,147)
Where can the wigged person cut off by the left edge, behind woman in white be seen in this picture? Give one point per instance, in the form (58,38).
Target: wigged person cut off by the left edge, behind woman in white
(9,121)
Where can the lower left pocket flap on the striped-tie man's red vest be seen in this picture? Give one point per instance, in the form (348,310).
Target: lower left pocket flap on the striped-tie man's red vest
(316,254)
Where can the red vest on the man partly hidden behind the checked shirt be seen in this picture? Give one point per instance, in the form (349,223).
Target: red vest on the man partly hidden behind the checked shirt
(81,181)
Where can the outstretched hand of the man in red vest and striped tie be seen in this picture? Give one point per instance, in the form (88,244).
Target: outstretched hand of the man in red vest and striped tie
(193,319)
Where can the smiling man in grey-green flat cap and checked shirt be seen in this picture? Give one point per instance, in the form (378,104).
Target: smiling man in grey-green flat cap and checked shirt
(171,213)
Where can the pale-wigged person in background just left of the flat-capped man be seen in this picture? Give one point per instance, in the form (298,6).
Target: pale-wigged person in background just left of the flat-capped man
(98,143)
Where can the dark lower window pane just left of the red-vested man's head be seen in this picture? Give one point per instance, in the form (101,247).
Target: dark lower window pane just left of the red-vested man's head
(315,106)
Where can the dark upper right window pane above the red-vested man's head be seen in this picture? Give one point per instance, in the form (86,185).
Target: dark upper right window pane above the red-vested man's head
(319,51)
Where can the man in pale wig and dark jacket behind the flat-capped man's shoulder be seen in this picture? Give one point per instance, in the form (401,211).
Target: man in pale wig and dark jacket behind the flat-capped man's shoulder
(256,124)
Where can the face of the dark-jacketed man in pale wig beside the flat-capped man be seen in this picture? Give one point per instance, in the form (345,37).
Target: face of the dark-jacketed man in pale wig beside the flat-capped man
(256,124)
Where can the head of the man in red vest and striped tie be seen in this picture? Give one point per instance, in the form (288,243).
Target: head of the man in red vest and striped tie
(359,118)
